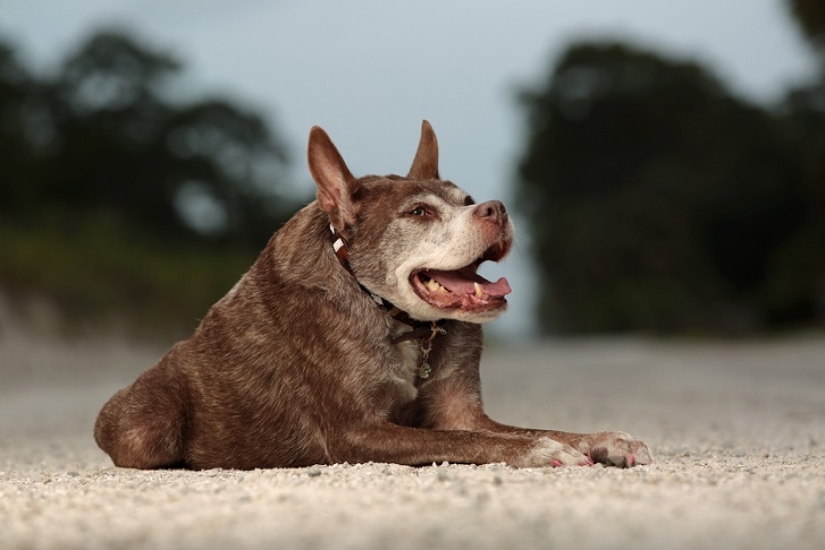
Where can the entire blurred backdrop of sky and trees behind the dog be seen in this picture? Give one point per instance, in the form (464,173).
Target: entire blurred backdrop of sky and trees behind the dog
(666,161)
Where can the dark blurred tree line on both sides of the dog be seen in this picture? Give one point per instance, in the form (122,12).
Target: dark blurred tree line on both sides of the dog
(657,200)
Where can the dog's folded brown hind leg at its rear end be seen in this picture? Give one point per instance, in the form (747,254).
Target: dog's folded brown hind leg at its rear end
(144,425)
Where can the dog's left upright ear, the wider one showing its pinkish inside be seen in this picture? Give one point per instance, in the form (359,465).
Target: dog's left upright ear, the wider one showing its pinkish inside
(334,180)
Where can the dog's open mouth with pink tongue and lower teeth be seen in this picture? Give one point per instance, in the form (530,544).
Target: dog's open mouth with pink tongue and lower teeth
(460,289)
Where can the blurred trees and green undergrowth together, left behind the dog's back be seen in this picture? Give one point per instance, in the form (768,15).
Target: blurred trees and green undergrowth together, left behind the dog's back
(116,201)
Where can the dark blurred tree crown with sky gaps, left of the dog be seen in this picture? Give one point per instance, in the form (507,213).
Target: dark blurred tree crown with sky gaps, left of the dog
(113,145)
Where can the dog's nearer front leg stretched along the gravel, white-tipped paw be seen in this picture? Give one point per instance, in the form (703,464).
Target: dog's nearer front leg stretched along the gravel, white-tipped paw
(382,441)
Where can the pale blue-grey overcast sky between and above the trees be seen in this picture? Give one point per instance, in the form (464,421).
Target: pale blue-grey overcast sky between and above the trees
(368,71)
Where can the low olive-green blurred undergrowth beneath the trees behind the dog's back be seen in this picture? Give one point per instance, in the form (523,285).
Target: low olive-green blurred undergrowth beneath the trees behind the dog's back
(102,275)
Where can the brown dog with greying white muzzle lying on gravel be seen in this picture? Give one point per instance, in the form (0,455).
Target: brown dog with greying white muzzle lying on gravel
(355,337)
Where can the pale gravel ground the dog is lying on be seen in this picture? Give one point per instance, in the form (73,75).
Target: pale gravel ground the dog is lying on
(738,431)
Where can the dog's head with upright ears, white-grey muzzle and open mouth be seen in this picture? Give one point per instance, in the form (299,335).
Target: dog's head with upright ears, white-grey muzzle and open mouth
(416,241)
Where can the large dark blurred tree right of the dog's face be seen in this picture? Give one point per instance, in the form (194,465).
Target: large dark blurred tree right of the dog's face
(658,201)
